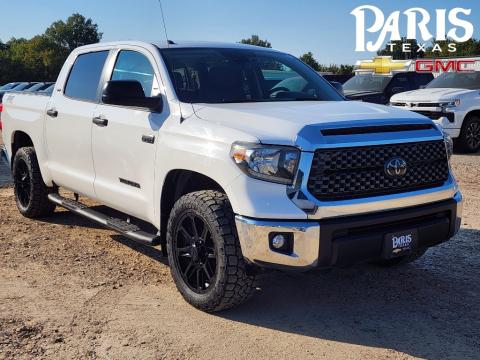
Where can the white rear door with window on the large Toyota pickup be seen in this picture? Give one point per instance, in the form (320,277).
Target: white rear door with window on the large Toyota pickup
(68,124)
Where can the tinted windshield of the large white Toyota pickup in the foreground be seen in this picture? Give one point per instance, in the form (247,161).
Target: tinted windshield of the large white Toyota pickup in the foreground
(223,75)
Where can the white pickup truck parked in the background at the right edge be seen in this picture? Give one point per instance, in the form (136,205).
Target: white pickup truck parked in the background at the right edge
(452,100)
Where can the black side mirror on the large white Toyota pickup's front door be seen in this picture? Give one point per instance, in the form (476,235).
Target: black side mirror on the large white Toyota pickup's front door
(129,93)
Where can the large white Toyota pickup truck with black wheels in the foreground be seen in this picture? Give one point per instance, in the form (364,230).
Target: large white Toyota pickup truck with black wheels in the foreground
(242,158)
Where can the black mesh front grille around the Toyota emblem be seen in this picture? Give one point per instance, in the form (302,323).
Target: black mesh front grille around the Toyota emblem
(349,173)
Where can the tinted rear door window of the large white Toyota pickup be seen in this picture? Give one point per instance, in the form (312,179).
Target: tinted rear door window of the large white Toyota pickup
(85,76)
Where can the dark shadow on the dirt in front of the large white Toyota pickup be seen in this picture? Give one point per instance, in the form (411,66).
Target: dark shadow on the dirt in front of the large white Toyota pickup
(427,309)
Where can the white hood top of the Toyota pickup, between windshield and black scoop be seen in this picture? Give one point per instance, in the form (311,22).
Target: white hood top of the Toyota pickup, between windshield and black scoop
(280,122)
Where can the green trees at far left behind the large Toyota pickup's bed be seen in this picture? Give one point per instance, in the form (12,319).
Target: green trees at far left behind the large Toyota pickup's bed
(41,57)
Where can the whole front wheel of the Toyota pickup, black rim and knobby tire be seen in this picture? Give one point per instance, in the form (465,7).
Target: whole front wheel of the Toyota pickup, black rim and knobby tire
(204,252)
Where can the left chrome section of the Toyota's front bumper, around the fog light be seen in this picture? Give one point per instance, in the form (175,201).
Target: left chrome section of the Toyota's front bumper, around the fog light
(253,235)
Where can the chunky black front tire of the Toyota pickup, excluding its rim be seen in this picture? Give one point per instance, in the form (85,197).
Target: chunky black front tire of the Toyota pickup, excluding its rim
(233,283)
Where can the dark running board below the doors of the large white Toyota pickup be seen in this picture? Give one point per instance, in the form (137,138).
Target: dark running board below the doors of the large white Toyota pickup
(131,231)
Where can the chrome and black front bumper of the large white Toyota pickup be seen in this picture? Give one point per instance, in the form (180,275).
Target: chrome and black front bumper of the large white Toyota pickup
(346,240)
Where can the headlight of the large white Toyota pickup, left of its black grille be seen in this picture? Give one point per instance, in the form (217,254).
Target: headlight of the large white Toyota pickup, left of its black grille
(267,162)
